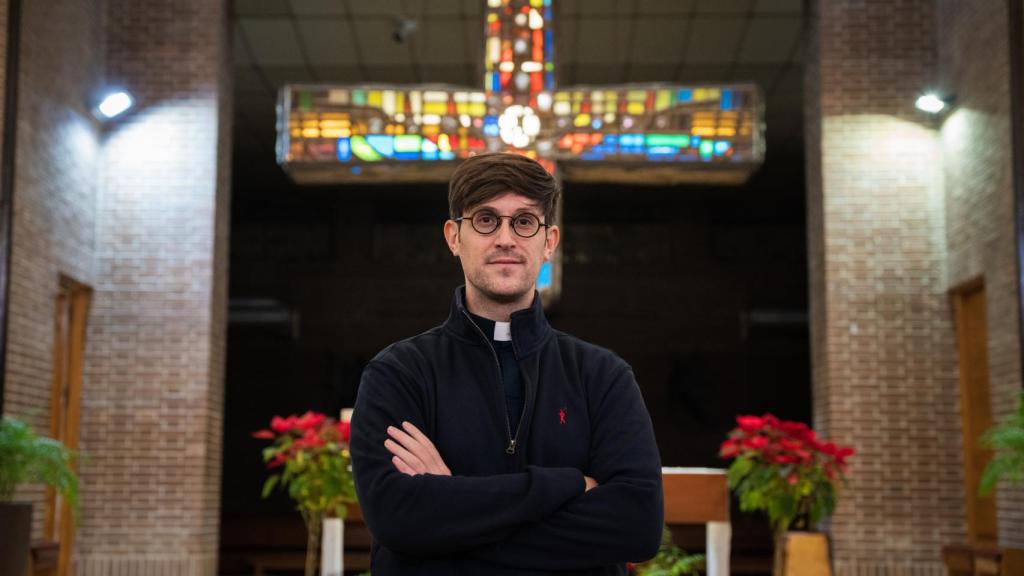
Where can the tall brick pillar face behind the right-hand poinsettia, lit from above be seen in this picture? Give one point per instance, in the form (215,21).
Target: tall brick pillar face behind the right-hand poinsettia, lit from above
(884,353)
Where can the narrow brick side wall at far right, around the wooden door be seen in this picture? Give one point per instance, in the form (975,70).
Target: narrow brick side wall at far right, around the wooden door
(979,196)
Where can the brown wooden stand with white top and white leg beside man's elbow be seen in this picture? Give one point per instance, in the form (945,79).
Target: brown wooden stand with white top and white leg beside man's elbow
(701,497)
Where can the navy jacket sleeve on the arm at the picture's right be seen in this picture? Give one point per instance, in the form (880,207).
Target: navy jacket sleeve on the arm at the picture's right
(618,522)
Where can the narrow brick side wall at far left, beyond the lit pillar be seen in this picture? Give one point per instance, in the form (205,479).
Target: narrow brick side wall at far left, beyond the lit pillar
(55,205)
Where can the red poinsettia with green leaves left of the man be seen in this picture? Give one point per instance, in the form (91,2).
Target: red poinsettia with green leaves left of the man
(310,455)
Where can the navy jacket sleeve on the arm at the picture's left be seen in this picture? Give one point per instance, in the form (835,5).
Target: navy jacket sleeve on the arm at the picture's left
(430,515)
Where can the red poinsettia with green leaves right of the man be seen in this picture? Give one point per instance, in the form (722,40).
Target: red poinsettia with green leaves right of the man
(783,469)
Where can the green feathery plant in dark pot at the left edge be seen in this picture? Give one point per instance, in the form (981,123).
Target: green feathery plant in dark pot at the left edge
(28,459)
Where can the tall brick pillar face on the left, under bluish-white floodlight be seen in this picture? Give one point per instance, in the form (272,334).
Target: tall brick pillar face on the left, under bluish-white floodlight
(152,418)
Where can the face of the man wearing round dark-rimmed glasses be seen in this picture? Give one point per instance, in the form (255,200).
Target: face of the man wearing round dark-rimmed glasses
(502,267)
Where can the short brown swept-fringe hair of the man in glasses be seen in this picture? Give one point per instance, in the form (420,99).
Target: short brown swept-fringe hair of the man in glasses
(488,176)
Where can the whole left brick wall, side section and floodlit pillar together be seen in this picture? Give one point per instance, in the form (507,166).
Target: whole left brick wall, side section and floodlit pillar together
(138,210)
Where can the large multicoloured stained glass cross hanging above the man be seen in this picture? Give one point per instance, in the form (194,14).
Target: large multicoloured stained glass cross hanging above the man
(636,134)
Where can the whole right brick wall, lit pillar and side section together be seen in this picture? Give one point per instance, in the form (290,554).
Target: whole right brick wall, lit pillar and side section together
(902,209)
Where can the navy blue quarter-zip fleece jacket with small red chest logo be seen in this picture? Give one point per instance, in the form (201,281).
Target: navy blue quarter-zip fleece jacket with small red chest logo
(516,504)
